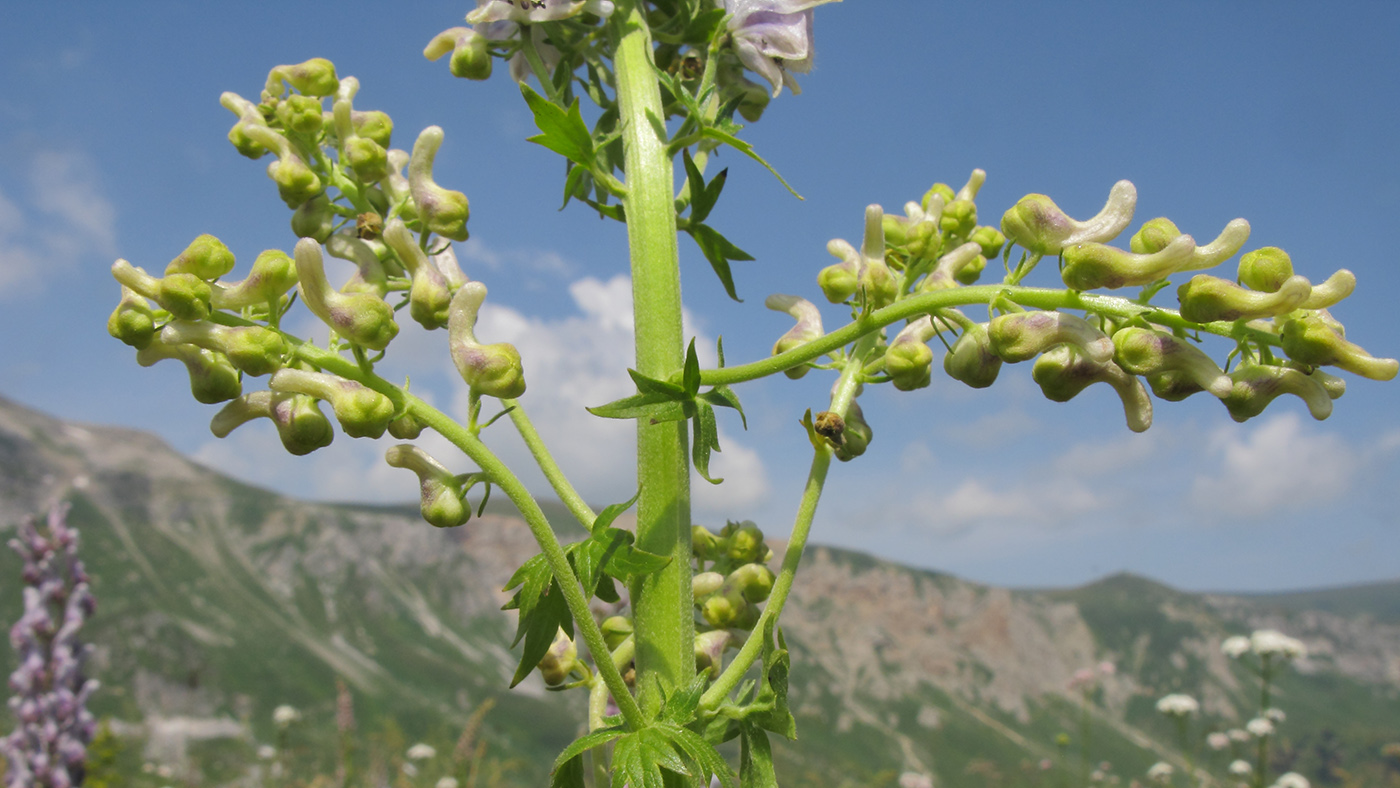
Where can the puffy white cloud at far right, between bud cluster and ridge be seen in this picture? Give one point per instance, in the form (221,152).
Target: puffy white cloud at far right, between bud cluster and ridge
(1276,467)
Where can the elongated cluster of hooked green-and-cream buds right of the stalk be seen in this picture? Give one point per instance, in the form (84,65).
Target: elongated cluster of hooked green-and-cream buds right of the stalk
(1280,321)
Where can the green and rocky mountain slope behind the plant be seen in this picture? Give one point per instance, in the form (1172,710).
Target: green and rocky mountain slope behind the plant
(219,603)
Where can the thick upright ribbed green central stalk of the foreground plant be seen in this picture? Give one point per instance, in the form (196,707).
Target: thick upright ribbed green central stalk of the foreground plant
(661,603)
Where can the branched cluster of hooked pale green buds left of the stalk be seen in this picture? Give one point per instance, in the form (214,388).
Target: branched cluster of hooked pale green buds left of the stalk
(353,198)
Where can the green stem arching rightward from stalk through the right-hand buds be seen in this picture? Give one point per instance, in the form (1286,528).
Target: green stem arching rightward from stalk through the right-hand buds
(1038,297)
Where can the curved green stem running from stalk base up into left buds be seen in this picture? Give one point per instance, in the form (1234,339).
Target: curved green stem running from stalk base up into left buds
(502,477)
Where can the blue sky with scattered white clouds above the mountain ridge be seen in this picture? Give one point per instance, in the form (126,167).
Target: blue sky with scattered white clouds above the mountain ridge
(115,146)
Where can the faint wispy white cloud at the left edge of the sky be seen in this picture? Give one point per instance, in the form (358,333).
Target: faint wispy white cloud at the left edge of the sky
(61,219)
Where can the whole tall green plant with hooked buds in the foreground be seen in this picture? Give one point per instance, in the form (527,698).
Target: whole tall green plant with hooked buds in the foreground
(696,657)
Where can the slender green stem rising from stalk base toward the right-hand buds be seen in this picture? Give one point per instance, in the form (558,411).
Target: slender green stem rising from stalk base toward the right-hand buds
(846,388)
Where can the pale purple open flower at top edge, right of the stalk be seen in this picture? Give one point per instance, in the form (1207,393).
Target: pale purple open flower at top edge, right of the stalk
(773,38)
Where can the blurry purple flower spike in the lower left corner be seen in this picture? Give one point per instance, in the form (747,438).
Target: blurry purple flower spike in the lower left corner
(52,723)
